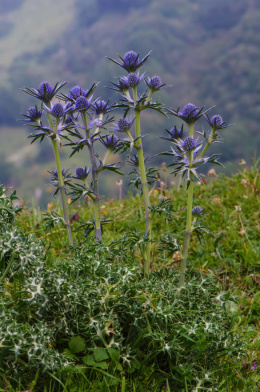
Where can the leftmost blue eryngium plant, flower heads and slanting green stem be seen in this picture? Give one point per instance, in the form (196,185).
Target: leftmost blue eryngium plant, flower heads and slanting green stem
(57,123)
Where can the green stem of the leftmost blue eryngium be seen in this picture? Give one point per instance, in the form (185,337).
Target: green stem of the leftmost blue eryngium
(62,190)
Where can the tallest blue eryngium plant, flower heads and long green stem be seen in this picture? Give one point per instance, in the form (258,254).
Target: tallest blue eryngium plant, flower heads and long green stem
(131,99)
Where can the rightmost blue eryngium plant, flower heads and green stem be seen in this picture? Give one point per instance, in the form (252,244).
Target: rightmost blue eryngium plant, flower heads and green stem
(188,156)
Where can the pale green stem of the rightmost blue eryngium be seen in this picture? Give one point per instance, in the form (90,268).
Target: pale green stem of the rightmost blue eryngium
(188,218)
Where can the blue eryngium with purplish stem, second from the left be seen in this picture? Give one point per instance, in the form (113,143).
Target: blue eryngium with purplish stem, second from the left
(87,121)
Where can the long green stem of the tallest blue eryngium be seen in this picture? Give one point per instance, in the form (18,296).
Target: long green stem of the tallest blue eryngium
(139,147)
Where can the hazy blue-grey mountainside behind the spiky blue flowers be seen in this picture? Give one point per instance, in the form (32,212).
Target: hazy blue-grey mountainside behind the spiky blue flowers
(208,50)
